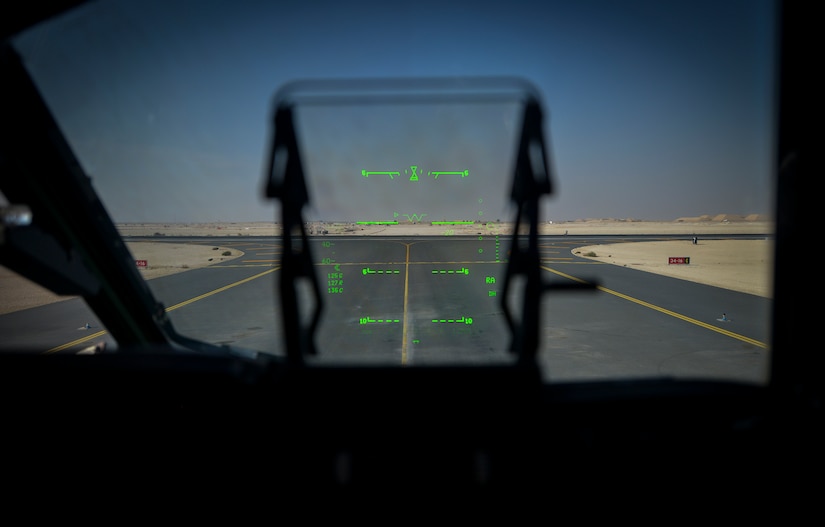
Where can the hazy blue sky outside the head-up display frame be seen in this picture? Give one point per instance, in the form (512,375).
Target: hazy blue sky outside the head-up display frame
(654,110)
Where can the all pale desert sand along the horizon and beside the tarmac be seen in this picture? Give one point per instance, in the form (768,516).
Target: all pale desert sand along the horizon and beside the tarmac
(741,265)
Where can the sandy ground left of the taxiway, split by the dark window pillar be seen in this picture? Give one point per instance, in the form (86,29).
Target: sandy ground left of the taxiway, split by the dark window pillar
(162,259)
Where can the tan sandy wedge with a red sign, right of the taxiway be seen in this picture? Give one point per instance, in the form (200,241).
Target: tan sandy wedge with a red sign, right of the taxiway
(739,265)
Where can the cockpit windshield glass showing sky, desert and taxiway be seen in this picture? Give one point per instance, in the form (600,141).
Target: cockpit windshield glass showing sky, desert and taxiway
(589,185)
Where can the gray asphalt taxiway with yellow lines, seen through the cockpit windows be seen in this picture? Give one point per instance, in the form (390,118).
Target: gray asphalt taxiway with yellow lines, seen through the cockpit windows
(426,301)
